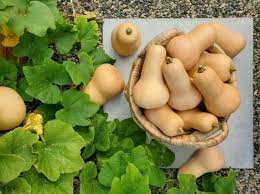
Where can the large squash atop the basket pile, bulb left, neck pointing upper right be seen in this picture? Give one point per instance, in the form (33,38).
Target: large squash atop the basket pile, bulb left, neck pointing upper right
(189,47)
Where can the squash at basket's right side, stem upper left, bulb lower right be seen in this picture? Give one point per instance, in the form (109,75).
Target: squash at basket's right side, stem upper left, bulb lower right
(220,99)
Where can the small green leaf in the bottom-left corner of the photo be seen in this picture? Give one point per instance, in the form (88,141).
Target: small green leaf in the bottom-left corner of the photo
(17,186)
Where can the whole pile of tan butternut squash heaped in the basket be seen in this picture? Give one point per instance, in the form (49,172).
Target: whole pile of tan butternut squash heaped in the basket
(183,86)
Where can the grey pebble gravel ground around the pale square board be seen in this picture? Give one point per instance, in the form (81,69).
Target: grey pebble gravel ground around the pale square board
(248,181)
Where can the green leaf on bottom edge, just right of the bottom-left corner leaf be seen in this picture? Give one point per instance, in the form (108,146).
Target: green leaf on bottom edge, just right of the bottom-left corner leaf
(41,185)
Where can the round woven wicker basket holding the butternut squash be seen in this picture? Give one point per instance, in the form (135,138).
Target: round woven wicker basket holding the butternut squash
(193,139)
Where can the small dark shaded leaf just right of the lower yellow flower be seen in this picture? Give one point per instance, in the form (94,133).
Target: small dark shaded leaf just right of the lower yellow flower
(48,111)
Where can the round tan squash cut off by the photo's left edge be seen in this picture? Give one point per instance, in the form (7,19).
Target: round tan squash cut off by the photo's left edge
(12,109)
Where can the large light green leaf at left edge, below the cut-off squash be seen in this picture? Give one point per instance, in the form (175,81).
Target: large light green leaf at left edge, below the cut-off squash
(16,153)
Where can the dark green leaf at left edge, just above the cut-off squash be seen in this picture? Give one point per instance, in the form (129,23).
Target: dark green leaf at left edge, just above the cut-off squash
(8,70)
